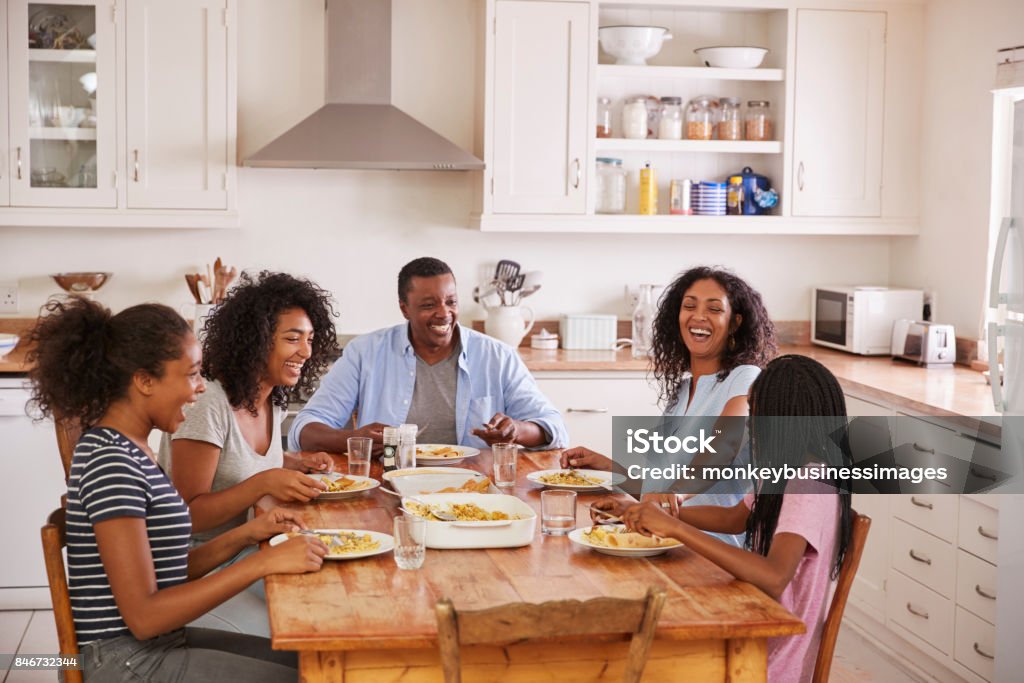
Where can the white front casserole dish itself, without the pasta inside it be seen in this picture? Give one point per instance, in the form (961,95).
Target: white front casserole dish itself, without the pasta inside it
(500,534)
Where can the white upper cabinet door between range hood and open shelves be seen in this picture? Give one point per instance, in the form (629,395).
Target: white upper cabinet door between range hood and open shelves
(542,56)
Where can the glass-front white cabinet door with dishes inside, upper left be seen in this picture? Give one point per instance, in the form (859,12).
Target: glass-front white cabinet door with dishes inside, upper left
(61,106)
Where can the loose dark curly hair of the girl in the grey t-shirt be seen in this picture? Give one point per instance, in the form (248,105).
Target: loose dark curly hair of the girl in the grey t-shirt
(239,336)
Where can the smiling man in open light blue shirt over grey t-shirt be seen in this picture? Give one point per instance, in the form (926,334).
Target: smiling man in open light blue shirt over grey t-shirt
(458,386)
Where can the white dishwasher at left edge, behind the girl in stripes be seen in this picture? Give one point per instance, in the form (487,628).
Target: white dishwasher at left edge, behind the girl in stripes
(31,486)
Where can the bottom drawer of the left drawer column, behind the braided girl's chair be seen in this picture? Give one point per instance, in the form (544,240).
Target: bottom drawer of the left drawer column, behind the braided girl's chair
(921,611)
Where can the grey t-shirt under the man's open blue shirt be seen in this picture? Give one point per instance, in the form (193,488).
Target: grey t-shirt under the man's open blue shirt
(433,408)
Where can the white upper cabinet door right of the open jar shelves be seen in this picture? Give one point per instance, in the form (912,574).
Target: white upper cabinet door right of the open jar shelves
(838,115)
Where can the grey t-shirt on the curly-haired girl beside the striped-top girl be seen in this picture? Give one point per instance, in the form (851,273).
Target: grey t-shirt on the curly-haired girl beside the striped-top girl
(211,419)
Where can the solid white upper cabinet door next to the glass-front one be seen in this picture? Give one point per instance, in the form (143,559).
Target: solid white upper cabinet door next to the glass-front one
(178,105)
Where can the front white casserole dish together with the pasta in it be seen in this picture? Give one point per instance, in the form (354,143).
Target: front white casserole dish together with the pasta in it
(483,521)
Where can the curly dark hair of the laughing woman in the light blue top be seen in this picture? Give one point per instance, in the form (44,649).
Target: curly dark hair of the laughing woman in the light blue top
(755,338)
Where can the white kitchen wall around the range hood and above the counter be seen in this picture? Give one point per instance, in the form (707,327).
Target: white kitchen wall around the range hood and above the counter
(352,231)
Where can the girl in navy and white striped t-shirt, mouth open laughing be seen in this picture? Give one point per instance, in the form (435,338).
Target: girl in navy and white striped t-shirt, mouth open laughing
(135,583)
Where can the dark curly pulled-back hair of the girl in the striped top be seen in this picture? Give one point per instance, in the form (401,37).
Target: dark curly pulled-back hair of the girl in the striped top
(84,357)
